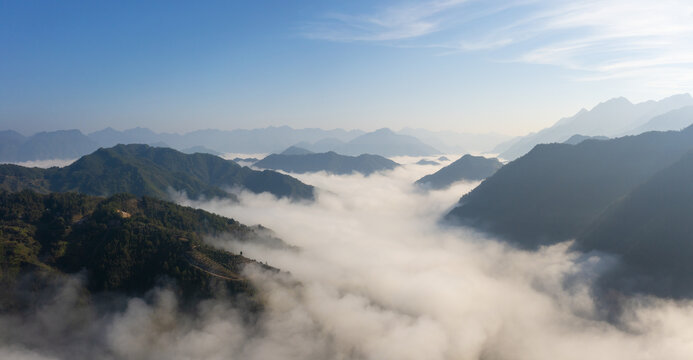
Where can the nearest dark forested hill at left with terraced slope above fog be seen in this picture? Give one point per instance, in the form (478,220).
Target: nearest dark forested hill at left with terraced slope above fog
(126,244)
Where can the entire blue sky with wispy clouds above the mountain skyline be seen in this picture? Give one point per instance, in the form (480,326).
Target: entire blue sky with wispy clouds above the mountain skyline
(473,66)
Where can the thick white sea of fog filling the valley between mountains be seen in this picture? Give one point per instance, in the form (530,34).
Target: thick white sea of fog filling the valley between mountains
(375,276)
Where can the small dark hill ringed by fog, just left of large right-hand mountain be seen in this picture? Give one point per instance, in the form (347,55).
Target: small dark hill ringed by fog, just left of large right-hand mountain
(467,167)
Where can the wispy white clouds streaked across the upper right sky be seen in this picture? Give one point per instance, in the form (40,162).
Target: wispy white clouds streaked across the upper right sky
(600,39)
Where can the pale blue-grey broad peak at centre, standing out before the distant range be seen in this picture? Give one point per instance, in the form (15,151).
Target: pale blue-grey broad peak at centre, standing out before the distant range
(386,143)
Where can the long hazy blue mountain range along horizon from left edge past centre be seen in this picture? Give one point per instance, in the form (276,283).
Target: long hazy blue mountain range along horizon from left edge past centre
(71,144)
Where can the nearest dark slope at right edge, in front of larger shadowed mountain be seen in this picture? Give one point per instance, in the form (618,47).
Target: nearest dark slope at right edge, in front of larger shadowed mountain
(651,231)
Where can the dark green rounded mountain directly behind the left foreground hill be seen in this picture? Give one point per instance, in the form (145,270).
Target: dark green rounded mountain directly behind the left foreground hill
(145,170)
